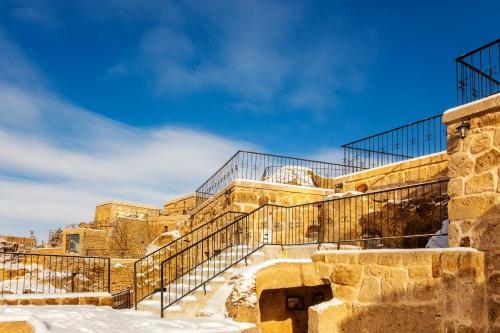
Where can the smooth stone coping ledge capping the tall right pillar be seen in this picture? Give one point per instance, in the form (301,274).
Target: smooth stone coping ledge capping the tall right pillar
(472,109)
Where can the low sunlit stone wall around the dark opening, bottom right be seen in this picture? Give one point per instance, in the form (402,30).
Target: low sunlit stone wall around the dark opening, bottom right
(425,290)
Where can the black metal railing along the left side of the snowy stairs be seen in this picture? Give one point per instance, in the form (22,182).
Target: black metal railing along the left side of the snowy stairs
(147,269)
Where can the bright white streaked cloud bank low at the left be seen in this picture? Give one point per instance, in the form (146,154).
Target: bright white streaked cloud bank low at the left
(59,160)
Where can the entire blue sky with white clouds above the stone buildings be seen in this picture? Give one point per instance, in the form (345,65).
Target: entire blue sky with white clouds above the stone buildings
(141,100)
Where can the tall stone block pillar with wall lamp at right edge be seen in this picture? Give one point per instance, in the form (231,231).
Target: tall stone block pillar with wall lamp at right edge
(474,188)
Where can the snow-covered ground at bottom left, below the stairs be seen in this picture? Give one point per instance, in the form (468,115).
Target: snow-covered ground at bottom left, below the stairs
(94,319)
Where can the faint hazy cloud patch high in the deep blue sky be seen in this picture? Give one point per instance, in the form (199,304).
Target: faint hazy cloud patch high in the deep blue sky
(260,52)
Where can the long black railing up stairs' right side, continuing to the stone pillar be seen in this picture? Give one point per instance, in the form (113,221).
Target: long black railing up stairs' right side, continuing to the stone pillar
(403,217)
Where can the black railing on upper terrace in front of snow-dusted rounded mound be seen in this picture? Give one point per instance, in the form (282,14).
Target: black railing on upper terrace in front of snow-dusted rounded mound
(272,168)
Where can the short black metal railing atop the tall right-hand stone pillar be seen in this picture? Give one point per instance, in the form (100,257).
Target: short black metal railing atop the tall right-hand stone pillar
(478,73)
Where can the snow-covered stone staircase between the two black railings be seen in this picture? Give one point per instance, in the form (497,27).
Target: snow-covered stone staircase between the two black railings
(191,304)
